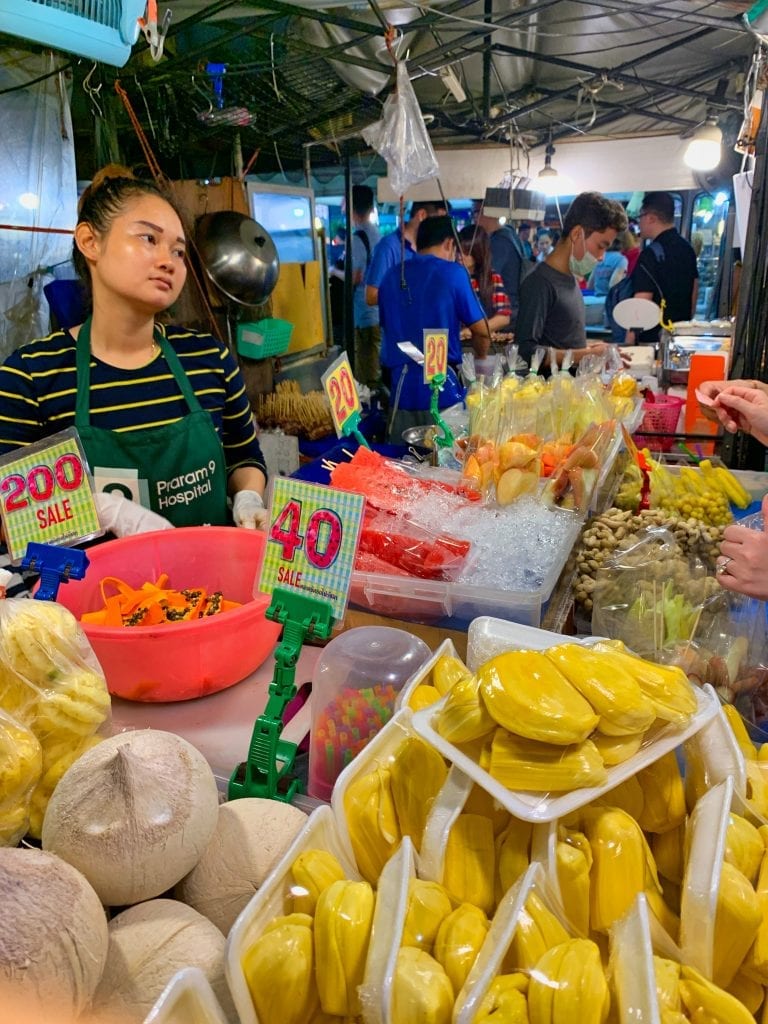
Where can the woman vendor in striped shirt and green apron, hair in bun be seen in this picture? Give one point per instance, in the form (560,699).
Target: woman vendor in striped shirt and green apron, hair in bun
(161,411)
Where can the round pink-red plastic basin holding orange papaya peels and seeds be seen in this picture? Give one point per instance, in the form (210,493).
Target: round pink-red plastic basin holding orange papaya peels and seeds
(185,660)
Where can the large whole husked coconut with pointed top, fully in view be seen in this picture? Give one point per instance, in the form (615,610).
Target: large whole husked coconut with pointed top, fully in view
(134,815)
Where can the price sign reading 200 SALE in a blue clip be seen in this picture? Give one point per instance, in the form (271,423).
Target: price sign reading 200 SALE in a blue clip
(47,495)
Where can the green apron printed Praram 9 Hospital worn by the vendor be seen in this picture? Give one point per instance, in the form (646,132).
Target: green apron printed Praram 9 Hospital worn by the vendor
(177,471)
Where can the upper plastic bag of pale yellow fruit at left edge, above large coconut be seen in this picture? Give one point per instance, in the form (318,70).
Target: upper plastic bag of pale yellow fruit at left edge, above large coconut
(53,686)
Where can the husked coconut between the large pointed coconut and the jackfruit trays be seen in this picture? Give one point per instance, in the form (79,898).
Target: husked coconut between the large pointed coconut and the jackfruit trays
(251,837)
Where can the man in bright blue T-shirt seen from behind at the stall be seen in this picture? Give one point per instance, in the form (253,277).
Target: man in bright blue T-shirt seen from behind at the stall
(431,292)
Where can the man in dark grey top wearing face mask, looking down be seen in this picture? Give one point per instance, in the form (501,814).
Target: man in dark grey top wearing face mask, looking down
(552,311)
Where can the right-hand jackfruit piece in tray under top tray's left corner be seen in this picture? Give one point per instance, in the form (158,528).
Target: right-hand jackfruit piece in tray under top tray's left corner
(416,777)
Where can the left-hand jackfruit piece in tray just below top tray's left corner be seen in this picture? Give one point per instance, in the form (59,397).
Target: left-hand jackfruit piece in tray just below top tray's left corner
(372,821)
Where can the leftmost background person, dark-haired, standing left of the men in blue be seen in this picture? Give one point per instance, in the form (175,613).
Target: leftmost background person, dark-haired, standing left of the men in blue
(367,334)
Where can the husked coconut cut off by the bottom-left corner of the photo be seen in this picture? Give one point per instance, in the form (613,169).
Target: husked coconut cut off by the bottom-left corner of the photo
(54,934)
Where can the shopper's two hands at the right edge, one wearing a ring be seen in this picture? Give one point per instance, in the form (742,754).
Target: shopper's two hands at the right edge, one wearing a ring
(744,567)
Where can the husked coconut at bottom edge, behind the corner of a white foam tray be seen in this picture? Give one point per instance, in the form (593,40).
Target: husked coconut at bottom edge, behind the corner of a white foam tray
(149,944)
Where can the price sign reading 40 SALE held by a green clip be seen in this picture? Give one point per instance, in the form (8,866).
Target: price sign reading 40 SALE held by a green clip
(312,541)
